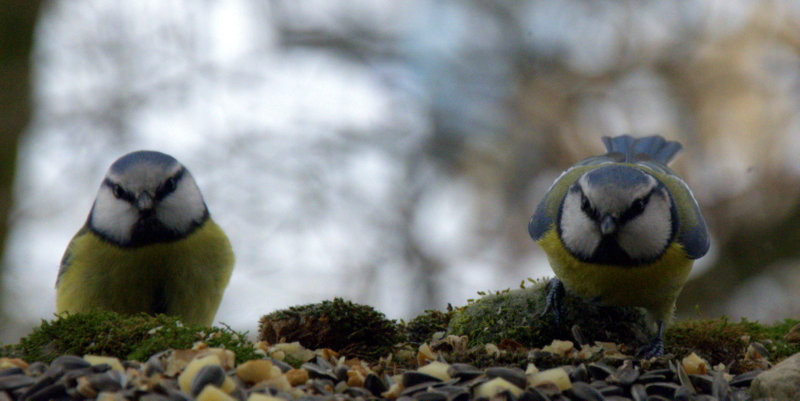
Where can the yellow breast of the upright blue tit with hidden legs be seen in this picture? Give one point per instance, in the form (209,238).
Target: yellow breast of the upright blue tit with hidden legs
(185,278)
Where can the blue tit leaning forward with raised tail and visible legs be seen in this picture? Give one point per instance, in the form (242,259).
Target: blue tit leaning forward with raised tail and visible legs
(622,229)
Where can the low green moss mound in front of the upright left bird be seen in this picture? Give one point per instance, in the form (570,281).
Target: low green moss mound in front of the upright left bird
(134,337)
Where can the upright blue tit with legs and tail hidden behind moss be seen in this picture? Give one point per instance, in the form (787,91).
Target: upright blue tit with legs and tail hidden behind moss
(149,245)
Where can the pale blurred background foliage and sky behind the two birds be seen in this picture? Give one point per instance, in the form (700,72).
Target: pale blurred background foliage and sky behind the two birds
(393,152)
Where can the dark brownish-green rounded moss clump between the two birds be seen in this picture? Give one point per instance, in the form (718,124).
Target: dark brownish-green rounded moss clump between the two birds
(346,327)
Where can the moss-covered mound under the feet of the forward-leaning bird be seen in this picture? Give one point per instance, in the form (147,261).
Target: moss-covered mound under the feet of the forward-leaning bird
(514,315)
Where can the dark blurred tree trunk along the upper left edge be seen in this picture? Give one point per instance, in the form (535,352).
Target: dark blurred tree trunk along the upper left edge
(17,22)
